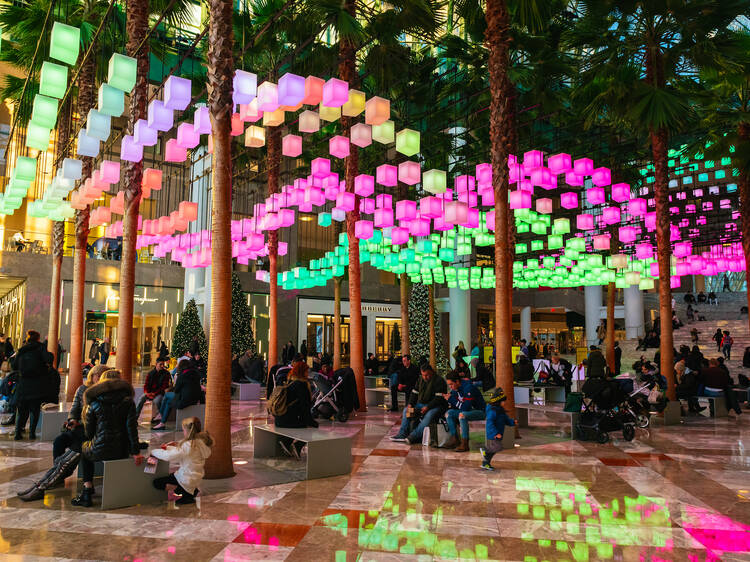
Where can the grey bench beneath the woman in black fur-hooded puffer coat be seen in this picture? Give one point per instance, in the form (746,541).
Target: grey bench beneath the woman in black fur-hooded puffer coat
(124,484)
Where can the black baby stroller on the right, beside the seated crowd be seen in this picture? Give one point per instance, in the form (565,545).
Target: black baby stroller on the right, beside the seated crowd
(606,411)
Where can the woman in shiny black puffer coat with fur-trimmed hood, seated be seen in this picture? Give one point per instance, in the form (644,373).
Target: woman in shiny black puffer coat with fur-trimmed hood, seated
(110,427)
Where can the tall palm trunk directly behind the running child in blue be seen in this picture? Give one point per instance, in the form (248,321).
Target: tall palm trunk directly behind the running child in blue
(497,37)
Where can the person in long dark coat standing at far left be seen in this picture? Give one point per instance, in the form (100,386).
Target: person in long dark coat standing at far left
(34,385)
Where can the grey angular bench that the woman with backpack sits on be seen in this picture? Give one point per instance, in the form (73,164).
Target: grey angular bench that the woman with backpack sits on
(328,453)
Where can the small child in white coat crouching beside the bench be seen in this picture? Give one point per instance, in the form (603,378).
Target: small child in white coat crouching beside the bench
(191,454)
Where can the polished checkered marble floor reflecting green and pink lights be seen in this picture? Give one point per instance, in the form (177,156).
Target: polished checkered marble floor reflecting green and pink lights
(674,493)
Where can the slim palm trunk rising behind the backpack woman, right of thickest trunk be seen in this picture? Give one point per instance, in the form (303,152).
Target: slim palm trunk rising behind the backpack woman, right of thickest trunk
(273,155)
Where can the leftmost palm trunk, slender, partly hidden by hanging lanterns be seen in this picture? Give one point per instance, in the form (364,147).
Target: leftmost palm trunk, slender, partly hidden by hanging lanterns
(58,237)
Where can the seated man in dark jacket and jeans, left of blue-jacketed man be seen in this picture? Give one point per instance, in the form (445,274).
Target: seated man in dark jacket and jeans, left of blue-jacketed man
(426,401)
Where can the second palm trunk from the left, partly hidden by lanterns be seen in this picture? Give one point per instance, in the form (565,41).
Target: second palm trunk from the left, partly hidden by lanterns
(75,375)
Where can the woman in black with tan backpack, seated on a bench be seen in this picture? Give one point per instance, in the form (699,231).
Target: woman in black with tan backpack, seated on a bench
(290,405)
